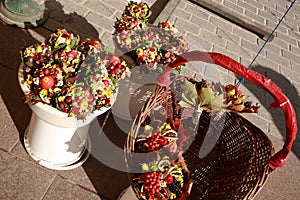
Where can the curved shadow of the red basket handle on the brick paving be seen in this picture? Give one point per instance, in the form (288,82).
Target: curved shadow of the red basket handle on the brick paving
(277,116)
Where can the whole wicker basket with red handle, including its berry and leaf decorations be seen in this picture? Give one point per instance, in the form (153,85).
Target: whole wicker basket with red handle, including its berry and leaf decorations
(190,142)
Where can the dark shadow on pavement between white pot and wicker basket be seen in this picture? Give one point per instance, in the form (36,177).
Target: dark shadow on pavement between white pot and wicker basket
(105,164)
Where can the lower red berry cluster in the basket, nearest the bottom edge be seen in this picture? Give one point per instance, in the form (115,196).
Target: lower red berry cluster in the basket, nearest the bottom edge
(152,183)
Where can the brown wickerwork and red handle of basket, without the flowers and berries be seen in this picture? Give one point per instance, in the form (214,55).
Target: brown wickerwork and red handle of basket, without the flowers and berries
(238,165)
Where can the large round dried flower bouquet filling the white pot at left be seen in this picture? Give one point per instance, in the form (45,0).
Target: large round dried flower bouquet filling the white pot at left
(76,77)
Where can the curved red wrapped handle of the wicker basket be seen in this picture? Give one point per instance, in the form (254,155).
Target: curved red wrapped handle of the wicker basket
(281,100)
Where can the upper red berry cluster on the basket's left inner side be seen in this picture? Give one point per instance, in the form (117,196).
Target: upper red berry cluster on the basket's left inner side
(155,142)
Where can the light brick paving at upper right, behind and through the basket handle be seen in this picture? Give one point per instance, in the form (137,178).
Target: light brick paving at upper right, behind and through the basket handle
(279,60)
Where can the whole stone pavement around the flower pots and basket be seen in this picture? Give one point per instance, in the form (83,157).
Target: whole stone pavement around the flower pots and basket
(21,178)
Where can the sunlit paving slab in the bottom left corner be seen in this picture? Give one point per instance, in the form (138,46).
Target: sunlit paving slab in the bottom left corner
(21,180)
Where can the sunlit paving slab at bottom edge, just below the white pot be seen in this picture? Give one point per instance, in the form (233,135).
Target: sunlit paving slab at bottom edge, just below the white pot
(62,189)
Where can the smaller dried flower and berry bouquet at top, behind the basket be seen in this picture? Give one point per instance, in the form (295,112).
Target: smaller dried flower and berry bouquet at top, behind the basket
(153,46)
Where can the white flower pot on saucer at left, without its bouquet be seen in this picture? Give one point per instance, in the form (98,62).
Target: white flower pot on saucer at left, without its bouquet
(55,140)
